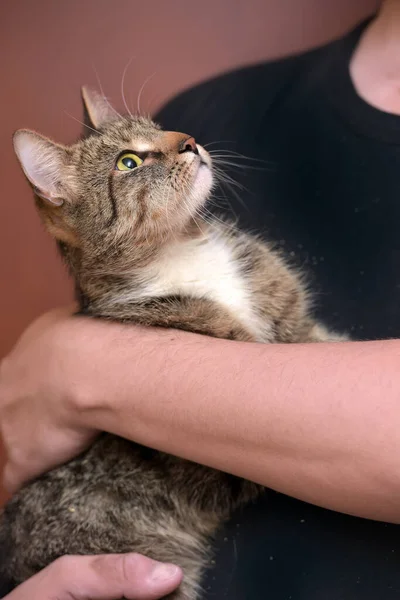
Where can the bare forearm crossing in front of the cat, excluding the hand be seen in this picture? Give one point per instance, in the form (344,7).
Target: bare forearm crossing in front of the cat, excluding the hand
(317,421)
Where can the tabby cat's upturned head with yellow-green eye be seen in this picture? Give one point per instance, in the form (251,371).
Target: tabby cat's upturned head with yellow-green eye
(127,183)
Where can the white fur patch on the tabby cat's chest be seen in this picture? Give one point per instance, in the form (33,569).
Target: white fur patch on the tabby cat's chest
(203,269)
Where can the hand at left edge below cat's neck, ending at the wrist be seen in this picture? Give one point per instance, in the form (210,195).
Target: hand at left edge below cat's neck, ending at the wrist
(36,416)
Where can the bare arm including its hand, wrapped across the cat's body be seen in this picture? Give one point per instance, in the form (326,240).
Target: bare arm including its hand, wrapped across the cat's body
(319,421)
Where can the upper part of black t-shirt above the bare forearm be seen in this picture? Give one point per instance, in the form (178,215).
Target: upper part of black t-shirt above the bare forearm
(328,192)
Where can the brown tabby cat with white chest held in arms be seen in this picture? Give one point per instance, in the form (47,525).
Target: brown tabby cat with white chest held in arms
(125,205)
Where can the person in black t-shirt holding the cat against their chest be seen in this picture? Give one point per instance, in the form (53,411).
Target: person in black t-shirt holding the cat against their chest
(316,423)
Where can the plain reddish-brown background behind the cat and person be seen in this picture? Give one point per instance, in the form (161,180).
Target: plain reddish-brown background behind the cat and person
(49,48)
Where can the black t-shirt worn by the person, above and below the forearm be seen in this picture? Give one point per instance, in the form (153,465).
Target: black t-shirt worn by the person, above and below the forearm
(328,193)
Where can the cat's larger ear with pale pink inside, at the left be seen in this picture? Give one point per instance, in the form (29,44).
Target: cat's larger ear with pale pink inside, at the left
(44,164)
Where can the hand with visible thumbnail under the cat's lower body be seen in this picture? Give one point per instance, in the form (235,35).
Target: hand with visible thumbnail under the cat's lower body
(107,577)
